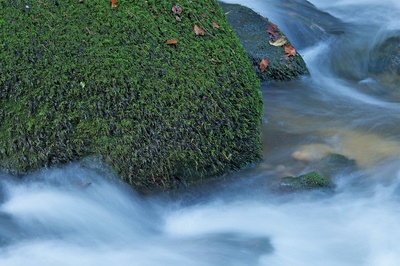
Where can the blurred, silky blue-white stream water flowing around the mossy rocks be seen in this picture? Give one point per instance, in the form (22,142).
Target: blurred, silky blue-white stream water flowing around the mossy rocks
(348,106)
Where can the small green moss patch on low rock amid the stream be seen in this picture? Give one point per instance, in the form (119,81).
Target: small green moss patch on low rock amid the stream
(308,181)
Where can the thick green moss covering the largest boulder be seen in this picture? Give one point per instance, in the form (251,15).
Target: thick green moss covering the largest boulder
(80,79)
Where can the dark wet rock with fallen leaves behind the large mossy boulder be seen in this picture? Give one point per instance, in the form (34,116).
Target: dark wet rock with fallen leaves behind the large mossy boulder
(251,29)
